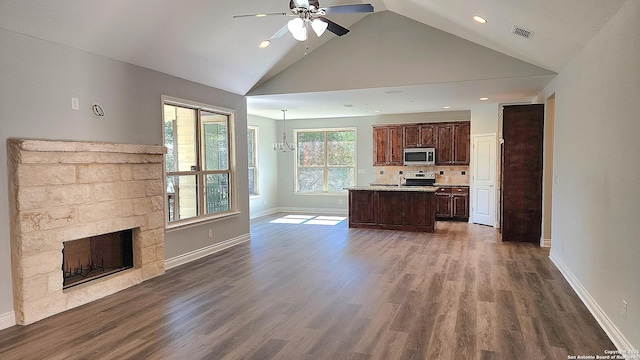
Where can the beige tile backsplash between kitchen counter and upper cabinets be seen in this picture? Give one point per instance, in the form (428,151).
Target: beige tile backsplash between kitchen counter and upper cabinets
(450,174)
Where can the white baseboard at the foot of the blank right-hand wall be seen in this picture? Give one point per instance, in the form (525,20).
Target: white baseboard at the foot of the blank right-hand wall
(617,338)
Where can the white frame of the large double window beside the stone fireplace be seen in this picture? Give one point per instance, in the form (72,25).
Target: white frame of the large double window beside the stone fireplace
(200,171)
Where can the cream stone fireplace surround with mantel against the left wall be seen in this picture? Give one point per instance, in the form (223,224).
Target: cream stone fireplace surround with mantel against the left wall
(63,191)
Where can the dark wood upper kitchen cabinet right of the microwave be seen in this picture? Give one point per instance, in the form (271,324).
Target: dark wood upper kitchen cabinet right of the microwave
(453,143)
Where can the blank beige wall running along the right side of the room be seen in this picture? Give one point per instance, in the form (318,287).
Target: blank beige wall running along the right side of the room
(596,200)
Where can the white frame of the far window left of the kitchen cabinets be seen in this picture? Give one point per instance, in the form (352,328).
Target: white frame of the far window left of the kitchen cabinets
(297,190)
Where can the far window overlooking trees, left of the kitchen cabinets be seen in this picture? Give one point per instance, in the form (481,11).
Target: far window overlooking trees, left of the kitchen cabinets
(326,160)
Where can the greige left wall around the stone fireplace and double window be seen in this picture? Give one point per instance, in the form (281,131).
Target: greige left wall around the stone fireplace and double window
(39,79)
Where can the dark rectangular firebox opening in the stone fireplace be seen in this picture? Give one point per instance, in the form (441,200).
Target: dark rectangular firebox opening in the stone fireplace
(93,257)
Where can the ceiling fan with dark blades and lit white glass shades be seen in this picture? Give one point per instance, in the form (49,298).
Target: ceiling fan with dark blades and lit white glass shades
(309,13)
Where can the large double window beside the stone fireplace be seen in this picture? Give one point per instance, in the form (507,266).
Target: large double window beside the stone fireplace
(197,163)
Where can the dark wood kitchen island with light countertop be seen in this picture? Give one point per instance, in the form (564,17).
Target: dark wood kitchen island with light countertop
(407,208)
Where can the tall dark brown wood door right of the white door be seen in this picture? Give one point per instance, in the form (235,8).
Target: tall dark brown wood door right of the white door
(523,131)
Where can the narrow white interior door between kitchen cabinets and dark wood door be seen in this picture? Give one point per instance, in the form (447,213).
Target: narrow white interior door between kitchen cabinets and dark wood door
(484,179)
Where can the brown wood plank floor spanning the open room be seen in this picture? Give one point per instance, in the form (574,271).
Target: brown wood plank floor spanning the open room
(329,292)
